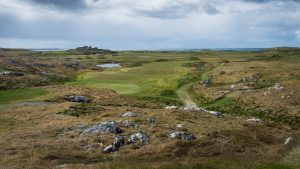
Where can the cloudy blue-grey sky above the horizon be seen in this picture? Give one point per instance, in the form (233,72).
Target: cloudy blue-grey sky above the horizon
(149,24)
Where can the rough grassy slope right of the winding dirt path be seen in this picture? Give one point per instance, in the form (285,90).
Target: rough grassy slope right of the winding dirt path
(269,67)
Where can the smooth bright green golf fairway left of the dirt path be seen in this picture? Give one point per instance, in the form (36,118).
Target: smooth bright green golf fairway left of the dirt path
(147,80)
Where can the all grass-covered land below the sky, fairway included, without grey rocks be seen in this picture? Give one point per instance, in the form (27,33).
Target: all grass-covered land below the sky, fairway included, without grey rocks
(37,136)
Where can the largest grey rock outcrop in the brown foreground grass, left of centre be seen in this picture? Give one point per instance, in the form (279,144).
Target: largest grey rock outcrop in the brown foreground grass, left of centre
(105,127)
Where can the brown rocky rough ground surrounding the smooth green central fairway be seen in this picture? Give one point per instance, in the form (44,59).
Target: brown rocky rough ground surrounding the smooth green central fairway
(234,115)
